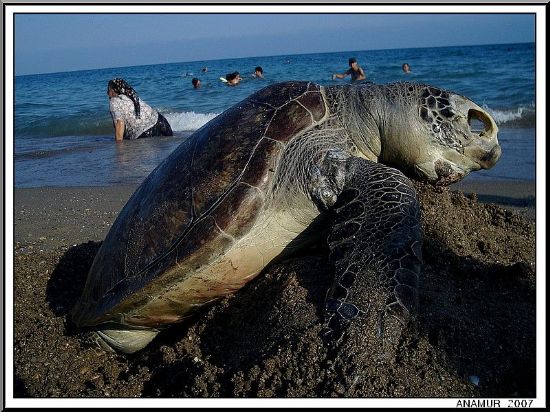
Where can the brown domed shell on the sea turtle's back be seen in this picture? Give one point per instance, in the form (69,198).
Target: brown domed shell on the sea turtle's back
(201,199)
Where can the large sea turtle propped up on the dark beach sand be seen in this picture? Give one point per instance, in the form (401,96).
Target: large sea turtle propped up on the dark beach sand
(284,167)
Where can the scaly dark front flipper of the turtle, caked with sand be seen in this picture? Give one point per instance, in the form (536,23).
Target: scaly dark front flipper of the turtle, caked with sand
(376,250)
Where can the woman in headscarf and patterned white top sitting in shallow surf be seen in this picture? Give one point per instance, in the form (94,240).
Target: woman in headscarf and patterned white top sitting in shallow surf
(132,117)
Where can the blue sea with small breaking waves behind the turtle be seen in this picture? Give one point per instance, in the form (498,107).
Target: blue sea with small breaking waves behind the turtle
(64,134)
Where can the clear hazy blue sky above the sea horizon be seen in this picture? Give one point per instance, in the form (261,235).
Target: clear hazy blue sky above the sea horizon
(64,42)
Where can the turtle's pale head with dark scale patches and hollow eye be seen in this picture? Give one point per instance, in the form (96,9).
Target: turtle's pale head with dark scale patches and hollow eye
(436,135)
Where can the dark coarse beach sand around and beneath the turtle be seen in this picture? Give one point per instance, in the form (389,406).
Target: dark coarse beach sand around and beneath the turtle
(476,316)
